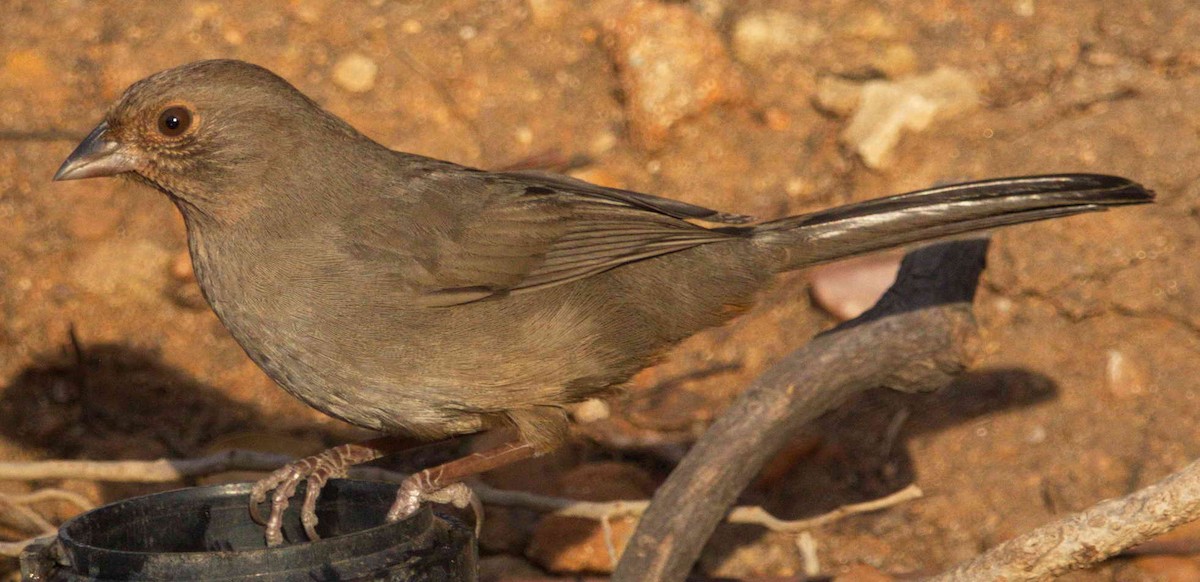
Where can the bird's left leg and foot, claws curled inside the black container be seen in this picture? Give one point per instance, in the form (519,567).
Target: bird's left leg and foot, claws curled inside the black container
(315,471)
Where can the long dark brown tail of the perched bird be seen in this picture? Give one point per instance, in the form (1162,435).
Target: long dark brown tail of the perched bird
(943,212)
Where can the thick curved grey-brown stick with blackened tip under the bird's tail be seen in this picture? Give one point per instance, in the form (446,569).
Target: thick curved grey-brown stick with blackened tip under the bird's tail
(916,339)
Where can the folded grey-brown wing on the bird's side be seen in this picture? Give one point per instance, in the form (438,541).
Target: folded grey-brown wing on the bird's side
(459,237)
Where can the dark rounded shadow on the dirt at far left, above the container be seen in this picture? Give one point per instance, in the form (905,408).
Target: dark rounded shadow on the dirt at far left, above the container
(113,401)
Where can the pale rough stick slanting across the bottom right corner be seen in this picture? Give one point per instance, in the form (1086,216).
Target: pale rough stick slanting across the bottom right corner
(1091,536)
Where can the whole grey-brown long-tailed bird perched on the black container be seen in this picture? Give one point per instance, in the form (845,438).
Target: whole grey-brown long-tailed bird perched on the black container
(428,299)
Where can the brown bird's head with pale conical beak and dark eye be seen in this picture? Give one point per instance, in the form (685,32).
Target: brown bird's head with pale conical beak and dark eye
(201,130)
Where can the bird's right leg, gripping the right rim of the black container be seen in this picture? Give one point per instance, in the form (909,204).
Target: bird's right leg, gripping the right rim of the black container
(442,484)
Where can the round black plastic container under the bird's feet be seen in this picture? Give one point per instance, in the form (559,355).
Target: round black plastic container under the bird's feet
(206,533)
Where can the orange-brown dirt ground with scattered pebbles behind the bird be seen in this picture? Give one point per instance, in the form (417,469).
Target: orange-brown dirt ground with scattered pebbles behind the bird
(1088,387)
